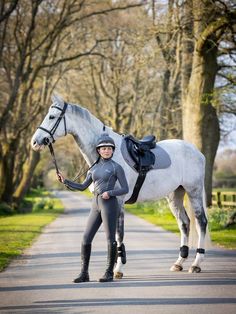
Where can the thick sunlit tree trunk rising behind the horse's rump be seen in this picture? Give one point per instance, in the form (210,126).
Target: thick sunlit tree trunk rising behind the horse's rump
(200,121)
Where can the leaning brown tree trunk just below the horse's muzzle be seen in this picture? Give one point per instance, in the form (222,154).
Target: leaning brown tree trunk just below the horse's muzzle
(28,170)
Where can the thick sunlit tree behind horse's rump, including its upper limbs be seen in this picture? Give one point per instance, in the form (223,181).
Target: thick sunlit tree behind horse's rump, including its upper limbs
(211,20)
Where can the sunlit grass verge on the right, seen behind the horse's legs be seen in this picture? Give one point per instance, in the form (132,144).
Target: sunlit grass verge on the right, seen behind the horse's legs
(159,214)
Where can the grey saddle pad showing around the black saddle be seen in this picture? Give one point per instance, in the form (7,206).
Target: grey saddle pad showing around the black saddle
(162,158)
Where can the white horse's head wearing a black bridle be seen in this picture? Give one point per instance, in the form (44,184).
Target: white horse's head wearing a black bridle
(53,125)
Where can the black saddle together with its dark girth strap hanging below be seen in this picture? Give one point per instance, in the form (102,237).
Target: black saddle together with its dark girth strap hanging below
(144,159)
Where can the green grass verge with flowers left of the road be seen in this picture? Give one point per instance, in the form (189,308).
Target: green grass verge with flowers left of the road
(17,232)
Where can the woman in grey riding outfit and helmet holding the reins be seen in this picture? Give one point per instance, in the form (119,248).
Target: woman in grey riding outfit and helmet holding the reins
(104,174)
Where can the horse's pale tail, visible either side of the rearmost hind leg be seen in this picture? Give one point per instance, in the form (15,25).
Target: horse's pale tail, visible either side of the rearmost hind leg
(193,235)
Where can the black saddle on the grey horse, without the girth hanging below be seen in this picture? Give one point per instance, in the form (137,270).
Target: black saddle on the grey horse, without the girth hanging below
(140,151)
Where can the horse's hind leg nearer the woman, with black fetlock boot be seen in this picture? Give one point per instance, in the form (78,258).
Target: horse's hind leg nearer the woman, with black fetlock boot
(175,201)
